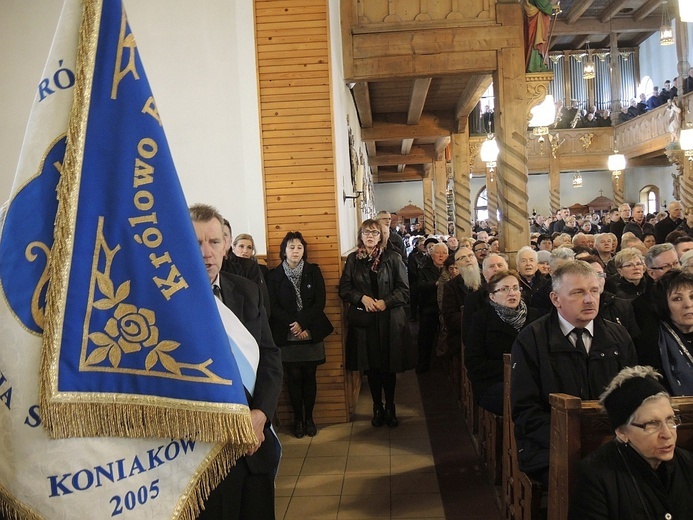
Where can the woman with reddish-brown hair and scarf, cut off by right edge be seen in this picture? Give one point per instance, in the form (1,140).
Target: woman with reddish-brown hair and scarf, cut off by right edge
(667,343)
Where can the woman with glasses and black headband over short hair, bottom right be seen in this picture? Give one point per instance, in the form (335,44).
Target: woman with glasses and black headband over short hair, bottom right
(641,473)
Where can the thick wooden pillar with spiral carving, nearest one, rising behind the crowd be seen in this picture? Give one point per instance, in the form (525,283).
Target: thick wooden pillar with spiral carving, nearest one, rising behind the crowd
(511,131)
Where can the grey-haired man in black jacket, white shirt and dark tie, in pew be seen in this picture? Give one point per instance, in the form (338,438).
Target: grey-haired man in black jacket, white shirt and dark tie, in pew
(571,351)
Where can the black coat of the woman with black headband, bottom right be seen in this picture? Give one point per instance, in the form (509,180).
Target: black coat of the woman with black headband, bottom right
(615,482)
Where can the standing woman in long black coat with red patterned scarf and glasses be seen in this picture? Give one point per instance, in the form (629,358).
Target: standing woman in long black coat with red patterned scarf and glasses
(374,284)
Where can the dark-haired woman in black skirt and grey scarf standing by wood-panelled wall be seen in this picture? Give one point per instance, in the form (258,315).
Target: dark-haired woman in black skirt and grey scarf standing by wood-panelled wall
(299,325)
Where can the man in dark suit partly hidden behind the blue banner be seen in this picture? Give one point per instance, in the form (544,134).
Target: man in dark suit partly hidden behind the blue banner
(248,490)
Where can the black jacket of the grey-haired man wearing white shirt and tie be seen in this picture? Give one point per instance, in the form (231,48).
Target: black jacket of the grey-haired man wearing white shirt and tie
(544,361)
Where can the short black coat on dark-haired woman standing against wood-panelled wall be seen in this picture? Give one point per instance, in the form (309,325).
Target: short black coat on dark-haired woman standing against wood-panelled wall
(283,303)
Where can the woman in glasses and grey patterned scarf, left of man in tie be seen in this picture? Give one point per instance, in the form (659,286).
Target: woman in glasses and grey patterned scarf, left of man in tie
(492,334)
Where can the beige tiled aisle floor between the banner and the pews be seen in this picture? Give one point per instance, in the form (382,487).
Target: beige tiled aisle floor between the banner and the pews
(355,471)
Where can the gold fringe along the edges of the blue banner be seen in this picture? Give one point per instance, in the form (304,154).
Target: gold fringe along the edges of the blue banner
(98,417)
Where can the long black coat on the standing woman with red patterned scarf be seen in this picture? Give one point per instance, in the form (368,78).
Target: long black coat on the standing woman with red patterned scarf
(392,324)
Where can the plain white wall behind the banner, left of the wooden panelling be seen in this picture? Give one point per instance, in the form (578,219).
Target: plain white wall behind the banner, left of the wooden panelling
(200,62)
